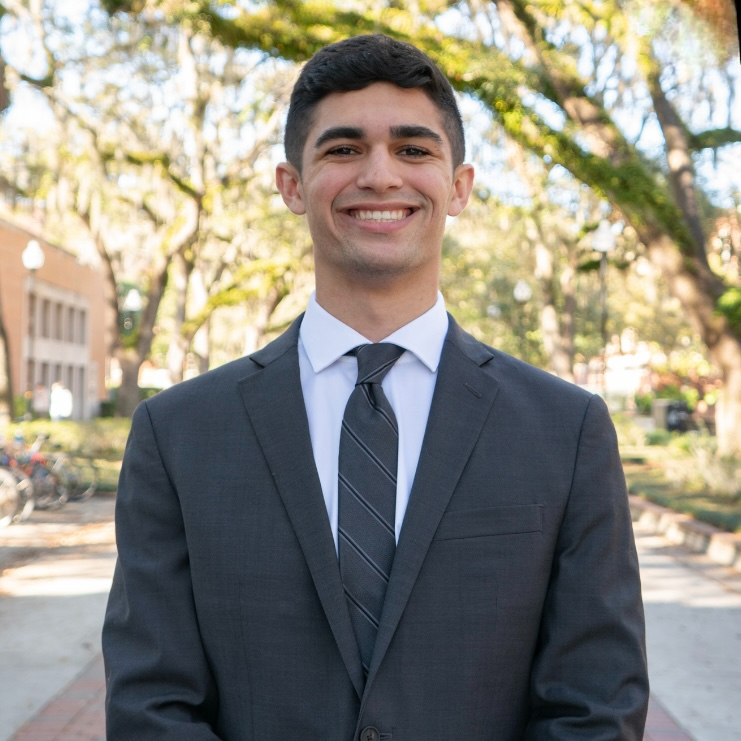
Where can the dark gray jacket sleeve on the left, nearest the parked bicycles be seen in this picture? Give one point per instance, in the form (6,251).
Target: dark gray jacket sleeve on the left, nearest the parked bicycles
(159,685)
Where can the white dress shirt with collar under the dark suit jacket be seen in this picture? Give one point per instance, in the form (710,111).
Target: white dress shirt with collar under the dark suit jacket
(328,377)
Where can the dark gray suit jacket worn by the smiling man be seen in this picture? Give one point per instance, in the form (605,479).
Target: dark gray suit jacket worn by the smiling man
(513,610)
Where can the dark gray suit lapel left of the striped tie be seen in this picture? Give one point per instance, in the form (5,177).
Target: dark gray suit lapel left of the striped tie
(275,405)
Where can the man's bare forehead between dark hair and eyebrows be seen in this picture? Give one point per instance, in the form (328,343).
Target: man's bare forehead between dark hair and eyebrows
(376,110)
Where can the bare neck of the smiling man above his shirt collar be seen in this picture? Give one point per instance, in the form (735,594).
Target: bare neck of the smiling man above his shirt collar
(376,313)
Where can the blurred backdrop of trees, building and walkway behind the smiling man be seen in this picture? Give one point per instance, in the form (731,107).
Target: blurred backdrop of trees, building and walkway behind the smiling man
(142,242)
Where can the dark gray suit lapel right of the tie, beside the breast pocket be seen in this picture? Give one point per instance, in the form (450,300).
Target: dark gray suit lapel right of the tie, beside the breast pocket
(463,397)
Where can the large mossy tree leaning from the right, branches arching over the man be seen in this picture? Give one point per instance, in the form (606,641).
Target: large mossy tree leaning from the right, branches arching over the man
(554,76)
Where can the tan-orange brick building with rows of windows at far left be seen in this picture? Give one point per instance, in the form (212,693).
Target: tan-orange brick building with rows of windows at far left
(54,320)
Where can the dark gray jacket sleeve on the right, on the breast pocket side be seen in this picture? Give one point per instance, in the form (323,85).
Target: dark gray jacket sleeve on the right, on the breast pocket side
(589,677)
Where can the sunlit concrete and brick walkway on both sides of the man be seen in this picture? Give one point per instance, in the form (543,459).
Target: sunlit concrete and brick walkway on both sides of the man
(51,609)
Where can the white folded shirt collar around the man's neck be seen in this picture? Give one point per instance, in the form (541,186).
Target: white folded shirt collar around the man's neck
(326,339)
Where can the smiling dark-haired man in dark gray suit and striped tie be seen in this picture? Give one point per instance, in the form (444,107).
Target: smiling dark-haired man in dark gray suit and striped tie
(270,587)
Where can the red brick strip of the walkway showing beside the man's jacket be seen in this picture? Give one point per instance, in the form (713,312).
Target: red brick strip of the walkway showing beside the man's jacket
(76,714)
